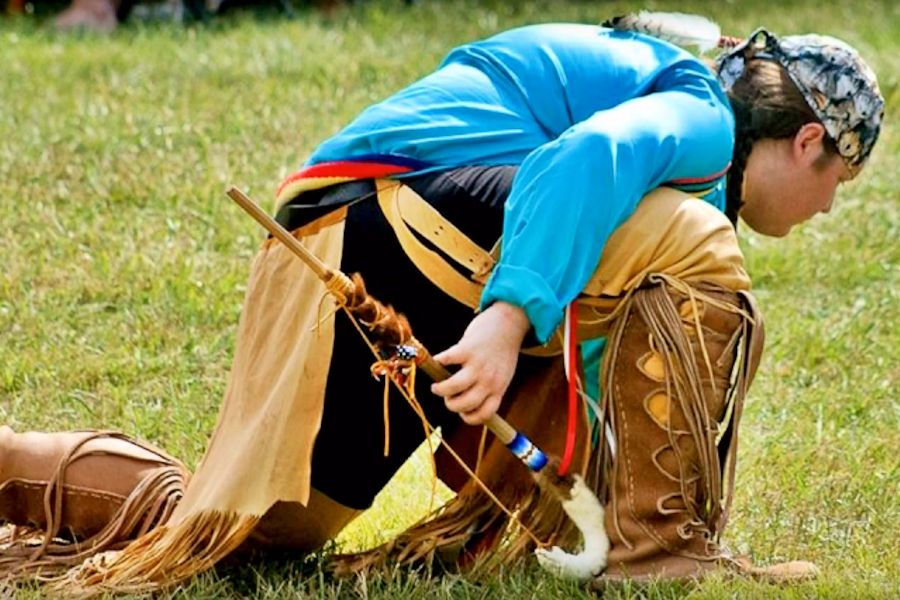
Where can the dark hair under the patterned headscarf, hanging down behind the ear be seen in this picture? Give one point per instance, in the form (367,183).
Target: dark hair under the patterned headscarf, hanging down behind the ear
(766,104)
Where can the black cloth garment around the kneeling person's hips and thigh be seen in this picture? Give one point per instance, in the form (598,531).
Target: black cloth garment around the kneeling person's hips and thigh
(348,463)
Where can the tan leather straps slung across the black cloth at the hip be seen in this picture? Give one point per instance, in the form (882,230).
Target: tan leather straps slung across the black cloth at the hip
(406,212)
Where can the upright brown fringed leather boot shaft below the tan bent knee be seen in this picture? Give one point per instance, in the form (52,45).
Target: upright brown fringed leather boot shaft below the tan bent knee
(670,361)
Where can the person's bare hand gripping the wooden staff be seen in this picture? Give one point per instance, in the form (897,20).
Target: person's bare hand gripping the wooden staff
(487,356)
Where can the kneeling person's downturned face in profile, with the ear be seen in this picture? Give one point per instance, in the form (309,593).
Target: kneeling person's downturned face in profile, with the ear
(787,182)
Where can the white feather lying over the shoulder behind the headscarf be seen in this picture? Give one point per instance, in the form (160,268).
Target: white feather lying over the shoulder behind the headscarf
(679,28)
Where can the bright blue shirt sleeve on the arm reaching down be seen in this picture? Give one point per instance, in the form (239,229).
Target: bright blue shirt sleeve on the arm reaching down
(571,193)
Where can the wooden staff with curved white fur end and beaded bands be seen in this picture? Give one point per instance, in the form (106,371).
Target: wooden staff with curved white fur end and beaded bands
(578,501)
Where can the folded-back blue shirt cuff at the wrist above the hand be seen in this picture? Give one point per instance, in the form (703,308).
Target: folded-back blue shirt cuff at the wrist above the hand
(528,290)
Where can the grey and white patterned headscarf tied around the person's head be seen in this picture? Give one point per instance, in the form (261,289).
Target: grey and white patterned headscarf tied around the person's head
(839,87)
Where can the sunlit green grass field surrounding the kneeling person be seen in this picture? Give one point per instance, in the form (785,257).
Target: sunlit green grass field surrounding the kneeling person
(123,269)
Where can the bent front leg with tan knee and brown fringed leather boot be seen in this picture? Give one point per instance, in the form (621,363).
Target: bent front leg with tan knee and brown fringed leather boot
(680,357)
